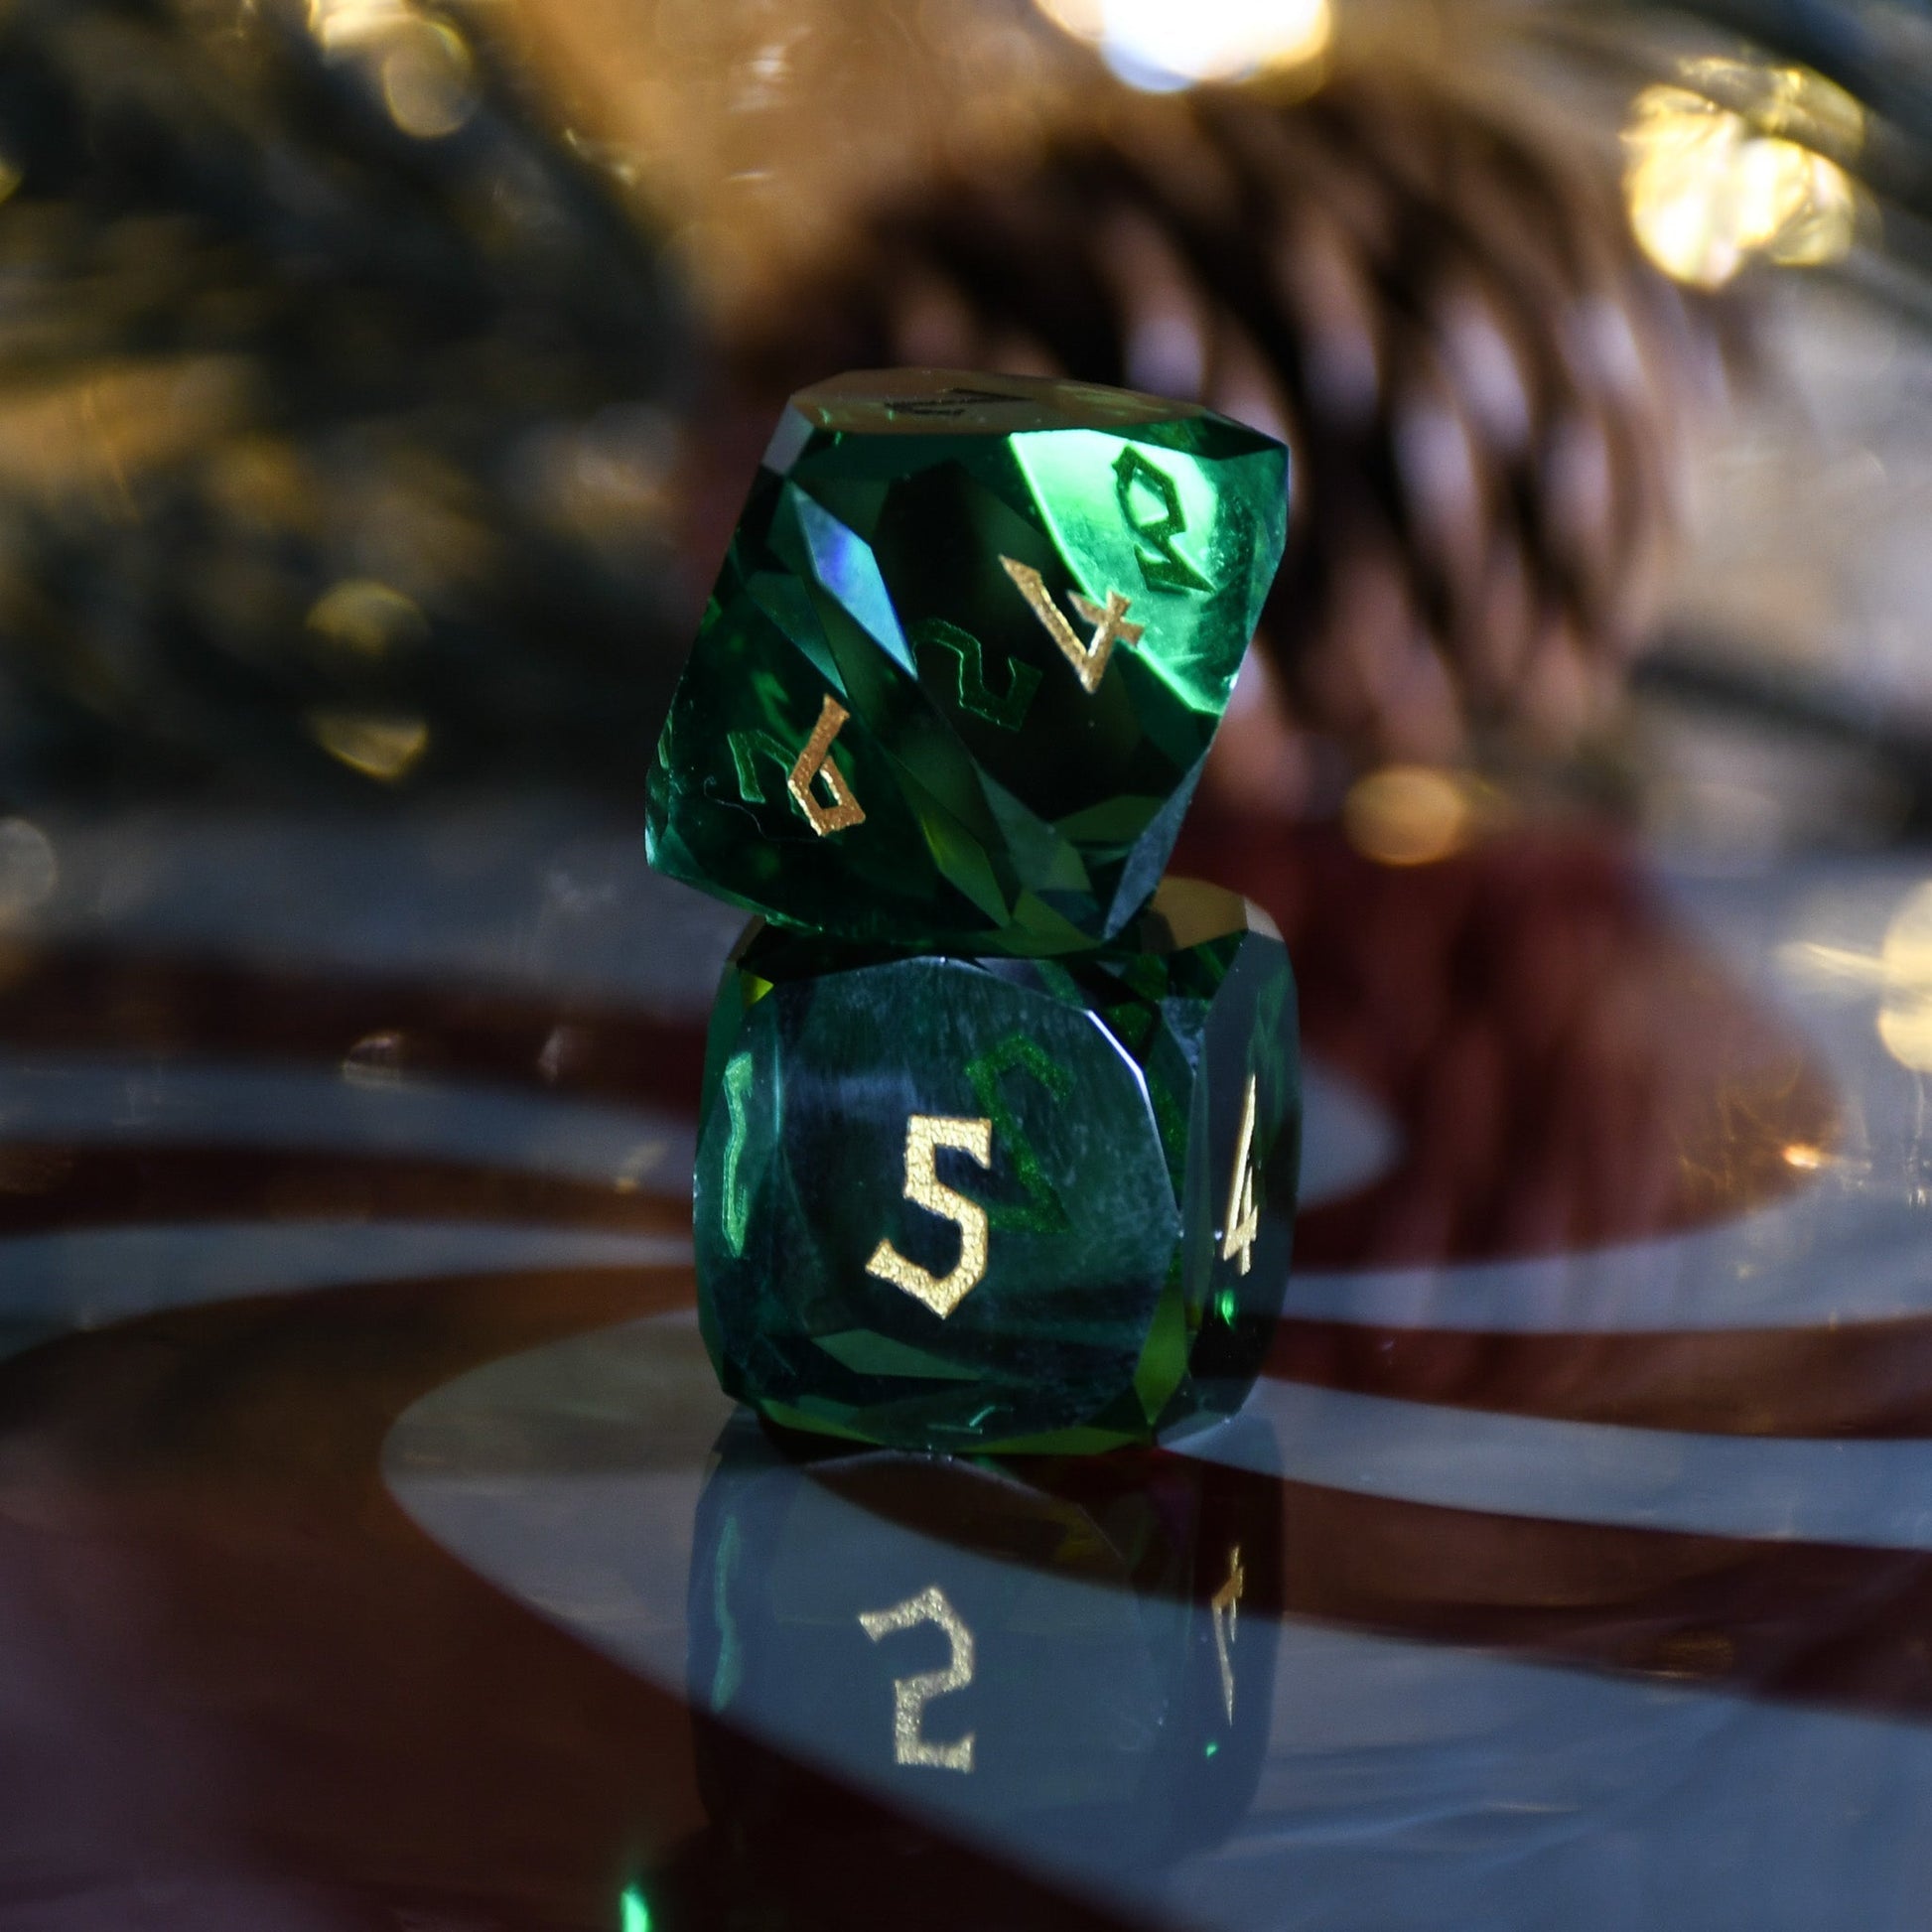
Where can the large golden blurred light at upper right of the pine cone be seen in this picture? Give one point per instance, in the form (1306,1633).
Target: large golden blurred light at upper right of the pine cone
(1711,185)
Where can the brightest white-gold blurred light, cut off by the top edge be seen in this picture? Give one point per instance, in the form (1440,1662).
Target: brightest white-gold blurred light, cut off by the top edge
(1174,43)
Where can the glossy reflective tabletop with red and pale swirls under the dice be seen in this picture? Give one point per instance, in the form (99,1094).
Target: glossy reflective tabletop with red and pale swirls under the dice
(378,1550)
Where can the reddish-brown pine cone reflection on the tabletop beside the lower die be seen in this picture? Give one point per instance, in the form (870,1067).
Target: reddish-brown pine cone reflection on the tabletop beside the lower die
(1568,1067)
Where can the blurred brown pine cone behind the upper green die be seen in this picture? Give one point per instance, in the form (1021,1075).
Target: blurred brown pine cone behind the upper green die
(1481,378)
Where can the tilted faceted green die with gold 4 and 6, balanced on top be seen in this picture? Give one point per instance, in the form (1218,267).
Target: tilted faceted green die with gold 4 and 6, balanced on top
(963,664)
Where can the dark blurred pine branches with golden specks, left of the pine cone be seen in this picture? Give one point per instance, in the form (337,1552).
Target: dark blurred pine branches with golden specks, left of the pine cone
(337,401)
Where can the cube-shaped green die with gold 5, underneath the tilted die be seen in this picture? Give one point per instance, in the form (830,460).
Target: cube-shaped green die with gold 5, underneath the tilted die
(994,1203)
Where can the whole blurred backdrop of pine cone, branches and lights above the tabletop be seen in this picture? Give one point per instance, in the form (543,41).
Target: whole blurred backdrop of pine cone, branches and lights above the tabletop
(380,378)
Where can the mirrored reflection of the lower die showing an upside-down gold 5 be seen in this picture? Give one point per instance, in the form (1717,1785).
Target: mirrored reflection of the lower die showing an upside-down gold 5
(1065,1657)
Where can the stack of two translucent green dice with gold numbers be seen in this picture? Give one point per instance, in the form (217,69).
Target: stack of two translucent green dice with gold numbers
(1000,1129)
